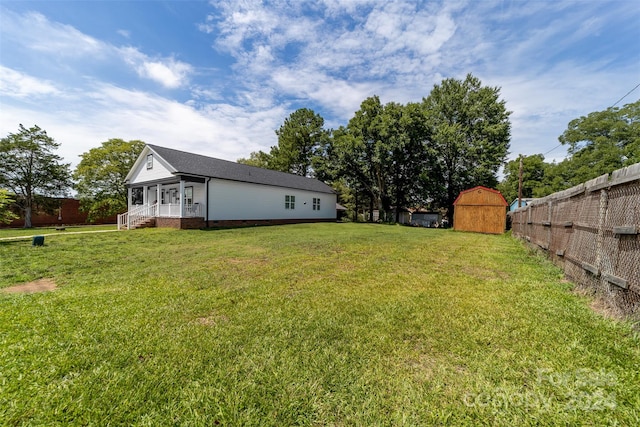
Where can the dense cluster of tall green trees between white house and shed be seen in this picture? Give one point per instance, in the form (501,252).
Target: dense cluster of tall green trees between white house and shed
(393,156)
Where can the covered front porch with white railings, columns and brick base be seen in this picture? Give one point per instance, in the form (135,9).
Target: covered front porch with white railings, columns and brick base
(178,204)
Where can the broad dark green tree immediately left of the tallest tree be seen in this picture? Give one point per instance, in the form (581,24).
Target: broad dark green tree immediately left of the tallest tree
(381,154)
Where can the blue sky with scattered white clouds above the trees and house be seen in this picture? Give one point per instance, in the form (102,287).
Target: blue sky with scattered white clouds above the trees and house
(217,78)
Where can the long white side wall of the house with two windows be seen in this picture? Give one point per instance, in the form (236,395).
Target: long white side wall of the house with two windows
(231,200)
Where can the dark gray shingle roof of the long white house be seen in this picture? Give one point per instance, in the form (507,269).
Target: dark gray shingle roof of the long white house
(198,165)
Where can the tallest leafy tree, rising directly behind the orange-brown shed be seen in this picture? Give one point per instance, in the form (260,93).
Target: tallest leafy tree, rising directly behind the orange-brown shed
(469,133)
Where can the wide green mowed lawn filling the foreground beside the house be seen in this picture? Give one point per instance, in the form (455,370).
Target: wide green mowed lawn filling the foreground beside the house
(316,324)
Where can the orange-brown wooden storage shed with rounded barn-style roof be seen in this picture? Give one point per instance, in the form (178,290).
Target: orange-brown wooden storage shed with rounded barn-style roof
(480,209)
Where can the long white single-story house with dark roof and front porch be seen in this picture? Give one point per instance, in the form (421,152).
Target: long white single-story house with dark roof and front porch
(173,188)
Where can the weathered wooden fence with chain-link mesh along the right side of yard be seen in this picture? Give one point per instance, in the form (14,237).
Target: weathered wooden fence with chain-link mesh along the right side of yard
(593,232)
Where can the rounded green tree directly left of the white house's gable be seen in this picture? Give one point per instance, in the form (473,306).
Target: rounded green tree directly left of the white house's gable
(100,177)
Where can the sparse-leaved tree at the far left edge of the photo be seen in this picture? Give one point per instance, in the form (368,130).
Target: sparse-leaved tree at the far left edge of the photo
(30,169)
